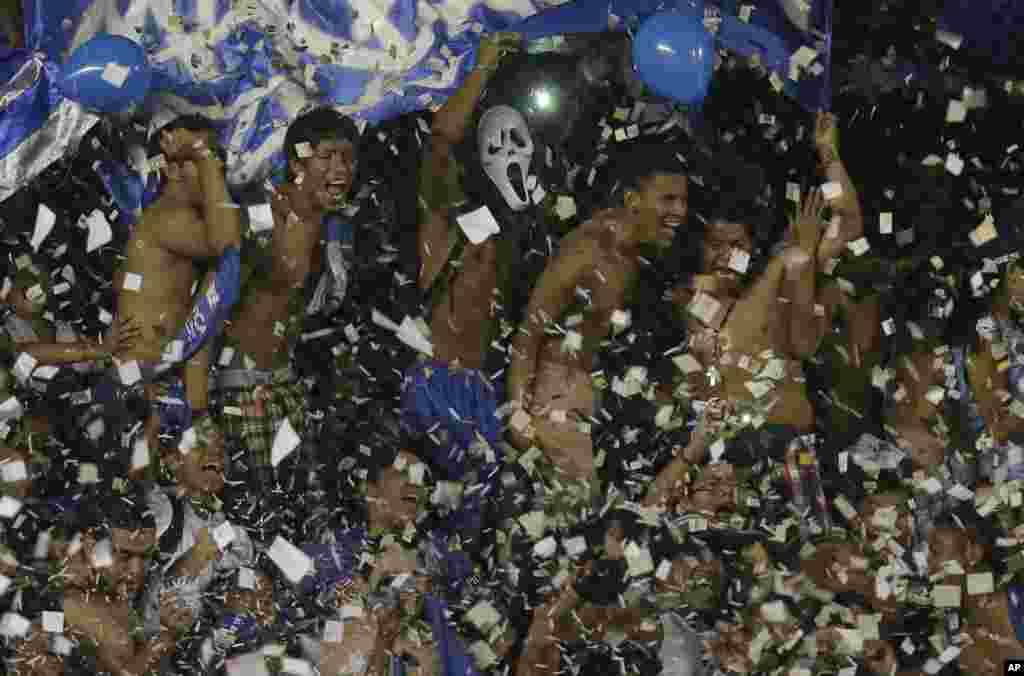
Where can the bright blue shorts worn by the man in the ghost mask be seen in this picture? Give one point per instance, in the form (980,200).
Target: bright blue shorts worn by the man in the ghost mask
(453,408)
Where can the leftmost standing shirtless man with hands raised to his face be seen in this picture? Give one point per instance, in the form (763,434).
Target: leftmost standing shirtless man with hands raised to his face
(193,220)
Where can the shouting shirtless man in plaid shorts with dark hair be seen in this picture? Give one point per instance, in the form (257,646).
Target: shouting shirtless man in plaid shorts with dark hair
(322,150)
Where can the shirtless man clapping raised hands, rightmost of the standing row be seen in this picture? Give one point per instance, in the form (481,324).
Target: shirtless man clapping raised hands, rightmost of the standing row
(751,336)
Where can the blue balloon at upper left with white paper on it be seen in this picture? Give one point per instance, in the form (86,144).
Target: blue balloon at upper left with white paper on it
(108,74)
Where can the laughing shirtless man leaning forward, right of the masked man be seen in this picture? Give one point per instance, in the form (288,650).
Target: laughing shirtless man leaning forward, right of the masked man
(598,264)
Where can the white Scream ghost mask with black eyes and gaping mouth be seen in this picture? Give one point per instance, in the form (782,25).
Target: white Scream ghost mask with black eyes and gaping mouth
(506,149)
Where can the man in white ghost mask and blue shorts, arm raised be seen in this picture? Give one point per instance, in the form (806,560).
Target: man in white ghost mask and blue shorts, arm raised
(448,400)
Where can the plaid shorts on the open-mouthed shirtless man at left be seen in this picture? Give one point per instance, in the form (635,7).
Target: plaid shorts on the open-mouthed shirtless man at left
(251,416)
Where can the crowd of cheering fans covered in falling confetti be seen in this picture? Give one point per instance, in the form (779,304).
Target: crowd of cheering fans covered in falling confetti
(693,400)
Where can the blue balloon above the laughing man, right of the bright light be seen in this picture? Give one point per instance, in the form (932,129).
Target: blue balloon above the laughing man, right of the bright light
(673,54)
